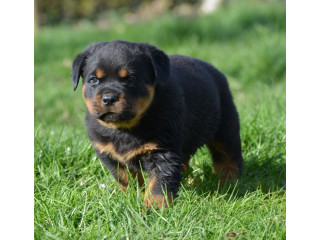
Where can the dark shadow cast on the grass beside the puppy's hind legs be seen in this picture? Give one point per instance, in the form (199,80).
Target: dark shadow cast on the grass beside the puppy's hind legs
(266,174)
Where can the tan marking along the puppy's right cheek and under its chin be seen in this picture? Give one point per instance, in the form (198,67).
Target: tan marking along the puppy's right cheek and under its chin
(141,106)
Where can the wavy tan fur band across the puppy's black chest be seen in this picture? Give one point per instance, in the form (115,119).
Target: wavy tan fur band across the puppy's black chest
(127,156)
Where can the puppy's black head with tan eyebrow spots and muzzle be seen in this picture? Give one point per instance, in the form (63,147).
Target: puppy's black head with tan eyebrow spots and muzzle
(119,80)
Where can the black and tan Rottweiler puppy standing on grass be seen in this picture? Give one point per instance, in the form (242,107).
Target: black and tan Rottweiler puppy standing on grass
(150,112)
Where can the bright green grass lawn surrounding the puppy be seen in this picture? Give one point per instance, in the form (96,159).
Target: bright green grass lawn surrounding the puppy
(76,197)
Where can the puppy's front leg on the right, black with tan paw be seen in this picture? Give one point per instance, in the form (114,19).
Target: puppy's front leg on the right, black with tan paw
(164,179)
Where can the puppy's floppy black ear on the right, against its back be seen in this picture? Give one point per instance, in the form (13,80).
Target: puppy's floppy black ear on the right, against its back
(160,63)
